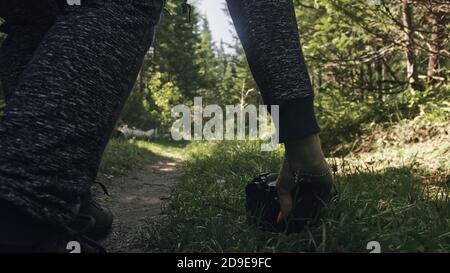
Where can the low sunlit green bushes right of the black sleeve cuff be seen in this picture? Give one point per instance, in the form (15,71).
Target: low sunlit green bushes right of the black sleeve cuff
(344,120)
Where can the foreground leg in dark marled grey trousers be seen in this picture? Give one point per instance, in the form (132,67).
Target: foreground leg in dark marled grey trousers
(59,118)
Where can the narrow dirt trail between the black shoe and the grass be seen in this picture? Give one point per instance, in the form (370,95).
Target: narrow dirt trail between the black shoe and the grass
(136,199)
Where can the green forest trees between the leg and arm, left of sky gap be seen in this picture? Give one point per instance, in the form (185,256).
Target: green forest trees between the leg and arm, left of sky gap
(181,65)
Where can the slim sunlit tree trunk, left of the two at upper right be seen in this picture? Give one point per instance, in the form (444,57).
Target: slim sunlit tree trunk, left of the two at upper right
(411,67)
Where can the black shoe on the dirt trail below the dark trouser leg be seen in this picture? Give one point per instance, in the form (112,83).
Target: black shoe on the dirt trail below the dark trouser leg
(99,216)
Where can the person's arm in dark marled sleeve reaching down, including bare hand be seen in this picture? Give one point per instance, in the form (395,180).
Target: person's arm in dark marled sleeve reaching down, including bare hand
(269,35)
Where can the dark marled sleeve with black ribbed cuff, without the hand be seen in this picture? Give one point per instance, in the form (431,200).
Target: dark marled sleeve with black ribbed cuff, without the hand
(268,32)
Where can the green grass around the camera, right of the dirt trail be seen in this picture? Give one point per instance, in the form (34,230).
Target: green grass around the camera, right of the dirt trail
(206,213)
